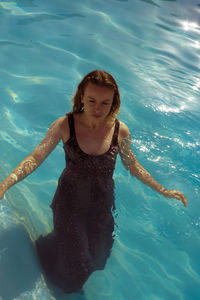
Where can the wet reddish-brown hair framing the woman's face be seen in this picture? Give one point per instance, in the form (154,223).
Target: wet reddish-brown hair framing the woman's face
(100,78)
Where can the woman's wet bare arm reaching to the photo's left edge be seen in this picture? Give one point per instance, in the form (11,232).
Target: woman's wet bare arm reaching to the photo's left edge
(33,160)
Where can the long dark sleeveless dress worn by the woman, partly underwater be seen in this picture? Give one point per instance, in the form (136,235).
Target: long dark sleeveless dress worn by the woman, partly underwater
(82,212)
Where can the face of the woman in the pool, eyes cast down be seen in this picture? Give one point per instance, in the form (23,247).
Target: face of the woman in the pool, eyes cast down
(97,101)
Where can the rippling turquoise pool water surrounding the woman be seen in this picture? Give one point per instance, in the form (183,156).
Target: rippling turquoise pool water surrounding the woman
(152,48)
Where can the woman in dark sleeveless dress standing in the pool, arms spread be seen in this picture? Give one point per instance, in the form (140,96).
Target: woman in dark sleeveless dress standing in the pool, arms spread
(82,205)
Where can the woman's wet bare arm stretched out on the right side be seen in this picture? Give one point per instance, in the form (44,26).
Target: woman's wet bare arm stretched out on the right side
(130,162)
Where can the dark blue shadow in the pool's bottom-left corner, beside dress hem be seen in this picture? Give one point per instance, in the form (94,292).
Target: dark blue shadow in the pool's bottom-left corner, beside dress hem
(19,268)
